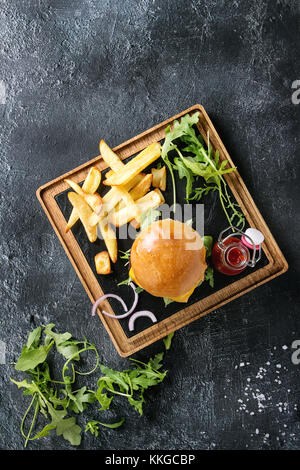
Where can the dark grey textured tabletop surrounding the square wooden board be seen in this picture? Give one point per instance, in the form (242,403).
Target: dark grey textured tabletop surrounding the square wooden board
(77,71)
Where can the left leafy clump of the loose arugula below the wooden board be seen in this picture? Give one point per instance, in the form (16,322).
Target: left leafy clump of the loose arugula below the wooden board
(52,402)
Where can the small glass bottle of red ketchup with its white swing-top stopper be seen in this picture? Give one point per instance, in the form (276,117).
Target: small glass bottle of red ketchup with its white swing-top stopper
(230,255)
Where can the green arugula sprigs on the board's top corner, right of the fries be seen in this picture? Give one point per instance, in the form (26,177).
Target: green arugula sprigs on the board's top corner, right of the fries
(194,161)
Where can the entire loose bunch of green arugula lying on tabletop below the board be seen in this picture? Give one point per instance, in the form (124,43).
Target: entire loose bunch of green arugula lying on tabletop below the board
(56,400)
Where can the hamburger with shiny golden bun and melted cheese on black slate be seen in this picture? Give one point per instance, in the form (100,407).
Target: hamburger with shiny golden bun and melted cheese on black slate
(168,259)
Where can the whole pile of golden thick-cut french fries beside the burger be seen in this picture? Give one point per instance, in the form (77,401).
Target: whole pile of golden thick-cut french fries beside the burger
(129,197)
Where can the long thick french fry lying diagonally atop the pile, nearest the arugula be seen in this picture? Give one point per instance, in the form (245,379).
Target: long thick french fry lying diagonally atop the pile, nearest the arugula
(135,166)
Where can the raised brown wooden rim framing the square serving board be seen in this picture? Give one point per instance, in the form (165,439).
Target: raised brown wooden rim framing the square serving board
(126,346)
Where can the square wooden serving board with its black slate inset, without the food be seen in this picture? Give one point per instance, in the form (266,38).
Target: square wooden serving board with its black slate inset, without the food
(53,194)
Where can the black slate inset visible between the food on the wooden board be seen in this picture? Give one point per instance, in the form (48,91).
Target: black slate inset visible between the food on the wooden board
(212,221)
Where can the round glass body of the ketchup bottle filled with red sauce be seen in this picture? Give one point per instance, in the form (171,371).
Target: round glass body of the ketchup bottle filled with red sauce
(231,258)
